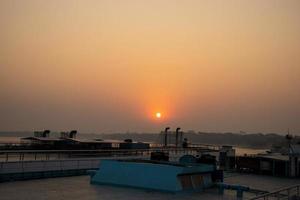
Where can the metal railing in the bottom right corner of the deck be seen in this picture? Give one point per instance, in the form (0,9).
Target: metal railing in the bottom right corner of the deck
(290,193)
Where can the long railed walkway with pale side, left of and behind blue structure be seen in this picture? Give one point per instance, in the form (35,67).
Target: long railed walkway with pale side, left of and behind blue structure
(33,164)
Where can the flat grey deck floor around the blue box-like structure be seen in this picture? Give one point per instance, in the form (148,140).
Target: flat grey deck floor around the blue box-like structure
(77,188)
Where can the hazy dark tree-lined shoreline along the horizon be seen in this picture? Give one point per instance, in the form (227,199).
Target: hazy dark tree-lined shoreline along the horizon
(254,141)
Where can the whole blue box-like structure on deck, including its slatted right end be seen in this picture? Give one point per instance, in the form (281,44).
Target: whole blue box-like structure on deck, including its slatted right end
(154,175)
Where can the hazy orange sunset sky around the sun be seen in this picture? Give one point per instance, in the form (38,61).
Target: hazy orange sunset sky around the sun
(110,65)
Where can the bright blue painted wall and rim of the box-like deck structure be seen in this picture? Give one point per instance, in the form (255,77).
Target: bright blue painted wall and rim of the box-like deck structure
(144,175)
